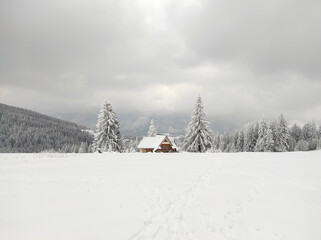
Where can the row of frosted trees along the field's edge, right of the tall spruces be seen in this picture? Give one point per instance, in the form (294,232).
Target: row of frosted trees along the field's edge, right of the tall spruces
(273,136)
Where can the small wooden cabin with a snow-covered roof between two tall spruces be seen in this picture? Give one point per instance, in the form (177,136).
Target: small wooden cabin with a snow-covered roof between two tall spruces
(159,143)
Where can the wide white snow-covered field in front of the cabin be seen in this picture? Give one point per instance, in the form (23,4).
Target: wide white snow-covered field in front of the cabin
(241,196)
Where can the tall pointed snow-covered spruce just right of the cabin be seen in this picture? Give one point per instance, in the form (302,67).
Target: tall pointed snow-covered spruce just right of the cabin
(198,136)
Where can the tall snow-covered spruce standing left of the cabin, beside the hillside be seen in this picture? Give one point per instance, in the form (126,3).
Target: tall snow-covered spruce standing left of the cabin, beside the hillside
(107,135)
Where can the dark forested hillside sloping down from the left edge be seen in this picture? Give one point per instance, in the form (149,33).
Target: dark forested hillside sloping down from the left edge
(22,130)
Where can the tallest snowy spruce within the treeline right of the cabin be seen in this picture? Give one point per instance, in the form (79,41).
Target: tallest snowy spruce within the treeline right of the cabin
(282,135)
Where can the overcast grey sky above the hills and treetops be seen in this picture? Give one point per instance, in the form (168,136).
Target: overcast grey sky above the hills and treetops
(247,59)
